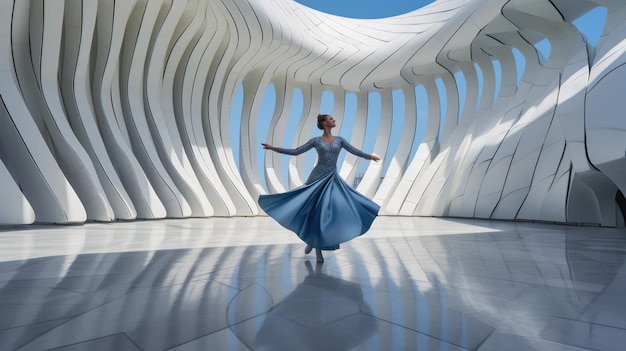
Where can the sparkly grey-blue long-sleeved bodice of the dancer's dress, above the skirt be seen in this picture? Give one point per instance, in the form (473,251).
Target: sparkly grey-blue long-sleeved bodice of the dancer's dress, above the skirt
(326,155)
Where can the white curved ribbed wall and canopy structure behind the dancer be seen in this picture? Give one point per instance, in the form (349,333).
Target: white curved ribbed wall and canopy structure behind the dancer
(128,116)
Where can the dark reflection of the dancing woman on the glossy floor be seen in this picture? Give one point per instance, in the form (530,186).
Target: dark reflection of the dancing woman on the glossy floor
(322,313)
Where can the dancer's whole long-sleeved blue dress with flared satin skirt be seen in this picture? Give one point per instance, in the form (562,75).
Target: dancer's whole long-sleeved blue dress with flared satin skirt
(325,211)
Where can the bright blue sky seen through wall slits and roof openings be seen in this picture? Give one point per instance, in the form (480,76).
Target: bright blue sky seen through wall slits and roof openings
(590,26)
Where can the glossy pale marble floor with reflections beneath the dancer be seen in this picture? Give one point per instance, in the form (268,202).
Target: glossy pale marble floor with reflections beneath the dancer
(246,284)
